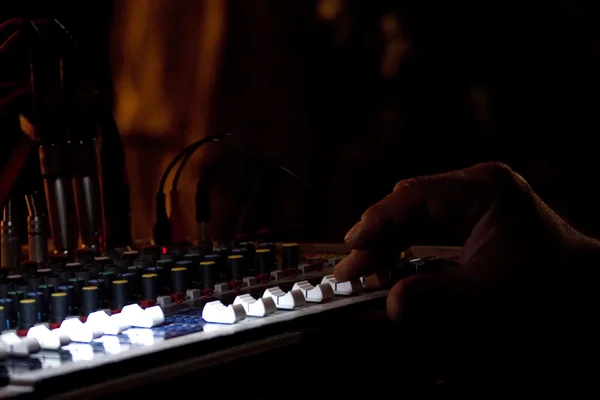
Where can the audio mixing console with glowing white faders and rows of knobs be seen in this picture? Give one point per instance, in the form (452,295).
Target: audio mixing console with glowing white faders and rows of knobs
(63,317)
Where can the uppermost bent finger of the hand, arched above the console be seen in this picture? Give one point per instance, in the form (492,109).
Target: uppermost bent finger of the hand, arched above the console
(422,207)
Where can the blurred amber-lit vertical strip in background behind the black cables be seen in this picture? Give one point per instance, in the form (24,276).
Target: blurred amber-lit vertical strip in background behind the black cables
(164,76)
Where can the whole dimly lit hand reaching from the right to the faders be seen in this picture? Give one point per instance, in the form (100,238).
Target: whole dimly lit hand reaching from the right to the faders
(512,273)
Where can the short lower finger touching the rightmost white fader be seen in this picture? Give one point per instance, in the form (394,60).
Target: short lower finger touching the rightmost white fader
(360,263)
